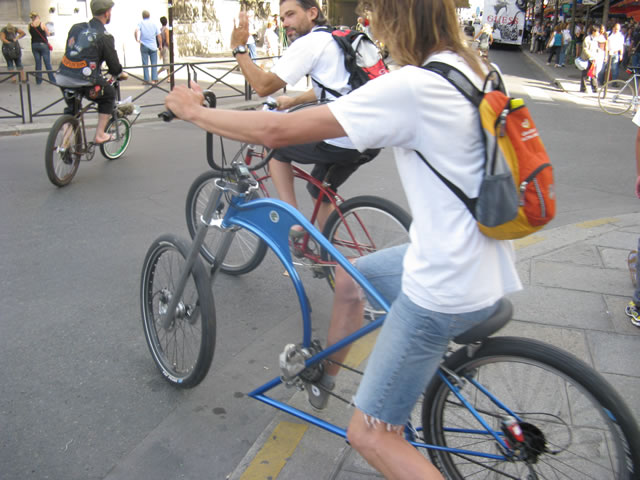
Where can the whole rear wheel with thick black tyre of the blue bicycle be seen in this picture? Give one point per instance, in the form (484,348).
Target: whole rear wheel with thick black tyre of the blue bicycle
(599,443)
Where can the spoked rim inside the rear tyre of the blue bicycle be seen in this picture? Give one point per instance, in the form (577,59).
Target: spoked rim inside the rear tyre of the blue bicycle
(573,434)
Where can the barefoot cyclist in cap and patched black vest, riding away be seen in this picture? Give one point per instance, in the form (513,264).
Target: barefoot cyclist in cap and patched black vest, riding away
(88,46)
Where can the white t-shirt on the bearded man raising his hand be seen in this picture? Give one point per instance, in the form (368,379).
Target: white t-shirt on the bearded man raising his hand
(316,54)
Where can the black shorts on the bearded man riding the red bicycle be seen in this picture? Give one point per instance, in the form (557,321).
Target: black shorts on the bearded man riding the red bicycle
(332,164)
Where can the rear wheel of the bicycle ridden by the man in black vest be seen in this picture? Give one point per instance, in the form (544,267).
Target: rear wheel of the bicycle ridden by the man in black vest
(60,162)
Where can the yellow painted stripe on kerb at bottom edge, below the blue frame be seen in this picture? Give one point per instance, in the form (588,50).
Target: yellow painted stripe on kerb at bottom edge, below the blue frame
(273,455)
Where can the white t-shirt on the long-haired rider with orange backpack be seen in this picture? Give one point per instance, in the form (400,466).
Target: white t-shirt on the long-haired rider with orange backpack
(450,266)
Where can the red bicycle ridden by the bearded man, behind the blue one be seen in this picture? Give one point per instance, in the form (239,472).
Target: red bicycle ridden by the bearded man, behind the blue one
(356,227)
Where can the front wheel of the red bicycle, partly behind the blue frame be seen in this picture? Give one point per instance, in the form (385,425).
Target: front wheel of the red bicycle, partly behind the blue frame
(247,250)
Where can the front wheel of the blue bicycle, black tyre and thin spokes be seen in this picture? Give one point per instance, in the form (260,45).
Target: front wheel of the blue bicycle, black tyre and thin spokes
(182,352)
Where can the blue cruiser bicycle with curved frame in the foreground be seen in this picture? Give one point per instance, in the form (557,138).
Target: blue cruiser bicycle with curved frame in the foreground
(499,407)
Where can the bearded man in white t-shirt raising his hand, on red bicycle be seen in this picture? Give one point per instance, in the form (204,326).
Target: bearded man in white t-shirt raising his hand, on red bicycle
(312,51)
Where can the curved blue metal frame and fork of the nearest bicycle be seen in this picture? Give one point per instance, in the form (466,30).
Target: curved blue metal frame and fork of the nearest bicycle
(271,220)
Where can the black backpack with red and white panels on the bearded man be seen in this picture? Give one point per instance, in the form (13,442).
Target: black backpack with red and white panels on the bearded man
(362,58)
